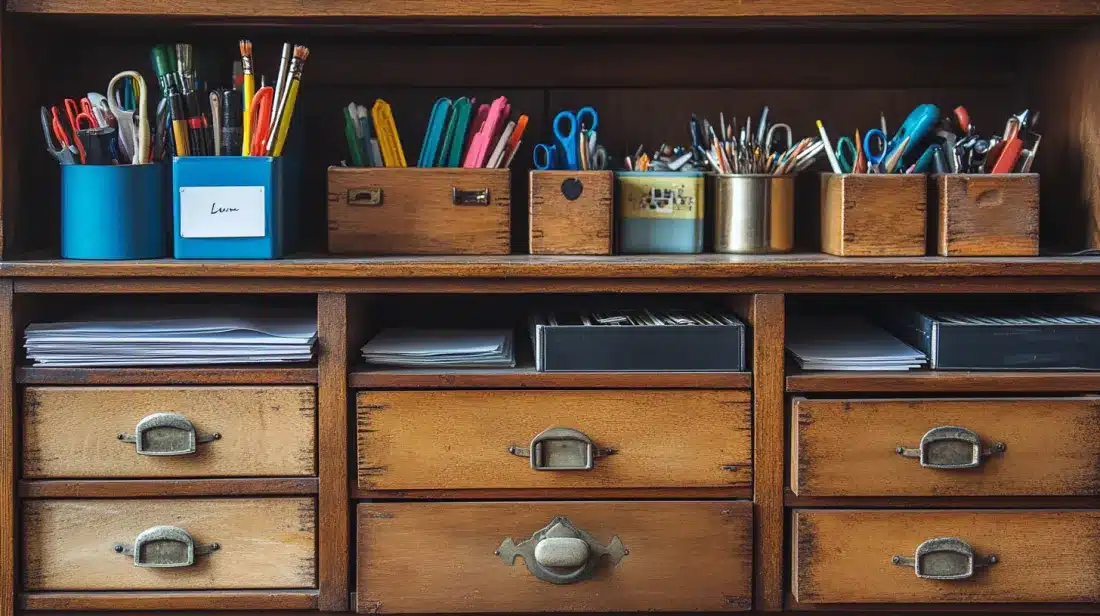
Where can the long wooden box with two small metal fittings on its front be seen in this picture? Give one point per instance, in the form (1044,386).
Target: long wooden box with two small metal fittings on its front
(382,211)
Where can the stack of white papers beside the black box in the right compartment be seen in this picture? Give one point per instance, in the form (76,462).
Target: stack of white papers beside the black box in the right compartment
(849,344)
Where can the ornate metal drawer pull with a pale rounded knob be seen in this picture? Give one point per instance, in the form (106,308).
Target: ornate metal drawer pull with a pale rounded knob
(562,554)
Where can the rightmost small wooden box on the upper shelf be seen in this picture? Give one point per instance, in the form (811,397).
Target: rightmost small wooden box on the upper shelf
(982,215)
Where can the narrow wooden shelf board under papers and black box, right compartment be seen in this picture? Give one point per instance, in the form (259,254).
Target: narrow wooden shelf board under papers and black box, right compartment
(930,381)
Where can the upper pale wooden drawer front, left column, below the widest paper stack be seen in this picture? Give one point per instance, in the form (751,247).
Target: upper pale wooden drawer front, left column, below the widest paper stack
(261,432)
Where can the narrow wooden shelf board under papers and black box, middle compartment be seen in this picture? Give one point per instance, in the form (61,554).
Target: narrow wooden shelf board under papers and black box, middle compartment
(527,378)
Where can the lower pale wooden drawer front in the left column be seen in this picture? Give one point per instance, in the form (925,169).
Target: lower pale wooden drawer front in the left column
(262,544)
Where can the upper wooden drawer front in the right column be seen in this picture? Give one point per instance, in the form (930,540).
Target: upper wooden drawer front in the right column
(1025,447)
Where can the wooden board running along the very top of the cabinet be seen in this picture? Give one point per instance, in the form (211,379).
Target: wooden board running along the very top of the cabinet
(554,9)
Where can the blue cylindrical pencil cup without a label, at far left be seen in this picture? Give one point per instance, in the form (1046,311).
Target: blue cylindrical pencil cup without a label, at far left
(114,212)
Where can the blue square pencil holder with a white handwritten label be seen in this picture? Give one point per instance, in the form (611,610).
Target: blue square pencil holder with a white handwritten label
(229,207)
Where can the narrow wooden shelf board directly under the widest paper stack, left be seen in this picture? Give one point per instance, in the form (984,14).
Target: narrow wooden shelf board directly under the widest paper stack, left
(169,376)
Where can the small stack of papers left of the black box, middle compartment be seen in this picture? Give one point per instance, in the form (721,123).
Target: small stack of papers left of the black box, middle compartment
(442,348)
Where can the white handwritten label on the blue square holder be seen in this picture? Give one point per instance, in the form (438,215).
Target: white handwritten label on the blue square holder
(223,212)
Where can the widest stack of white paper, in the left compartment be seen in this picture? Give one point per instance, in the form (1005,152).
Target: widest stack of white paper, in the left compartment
(172,342)
